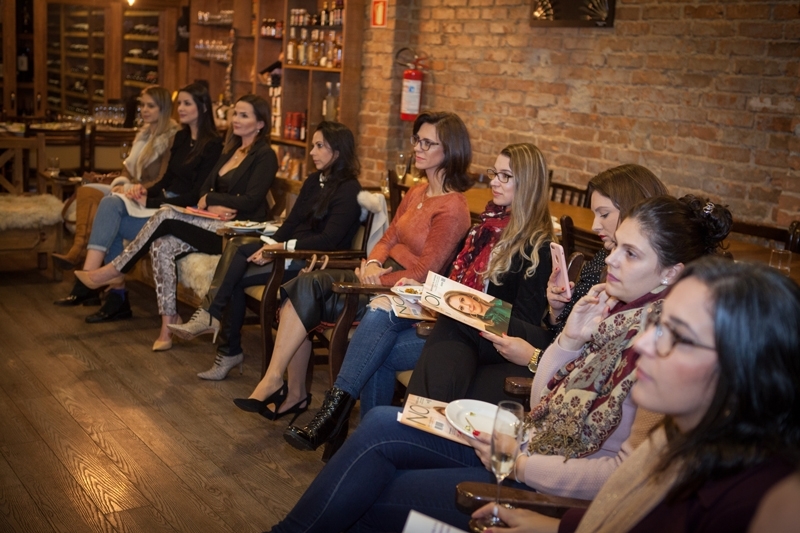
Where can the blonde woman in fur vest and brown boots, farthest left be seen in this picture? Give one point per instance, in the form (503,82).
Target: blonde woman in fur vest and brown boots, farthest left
(147,161)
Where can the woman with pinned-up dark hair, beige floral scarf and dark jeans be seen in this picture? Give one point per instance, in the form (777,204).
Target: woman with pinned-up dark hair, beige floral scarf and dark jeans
(582,410)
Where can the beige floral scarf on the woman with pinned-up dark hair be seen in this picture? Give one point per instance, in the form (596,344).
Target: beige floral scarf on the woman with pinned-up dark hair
(582,404)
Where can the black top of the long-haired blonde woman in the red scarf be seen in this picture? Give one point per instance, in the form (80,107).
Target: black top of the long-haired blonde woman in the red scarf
(528,297)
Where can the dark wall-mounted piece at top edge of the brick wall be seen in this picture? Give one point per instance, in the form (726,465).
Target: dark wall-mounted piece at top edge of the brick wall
(583,13)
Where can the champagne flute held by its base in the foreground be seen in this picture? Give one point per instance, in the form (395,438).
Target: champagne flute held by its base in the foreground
(506,440)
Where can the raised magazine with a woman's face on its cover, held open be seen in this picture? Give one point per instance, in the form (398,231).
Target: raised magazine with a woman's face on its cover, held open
(465,304)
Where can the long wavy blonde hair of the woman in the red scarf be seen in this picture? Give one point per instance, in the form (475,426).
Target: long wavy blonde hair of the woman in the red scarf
(530,224)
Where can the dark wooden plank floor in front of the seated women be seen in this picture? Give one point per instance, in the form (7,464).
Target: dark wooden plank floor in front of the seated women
(99,433)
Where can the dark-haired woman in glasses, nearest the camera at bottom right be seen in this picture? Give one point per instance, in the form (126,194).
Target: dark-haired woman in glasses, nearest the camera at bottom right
(721,363)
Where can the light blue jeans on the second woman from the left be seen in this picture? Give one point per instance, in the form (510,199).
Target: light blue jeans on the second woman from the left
(112,225)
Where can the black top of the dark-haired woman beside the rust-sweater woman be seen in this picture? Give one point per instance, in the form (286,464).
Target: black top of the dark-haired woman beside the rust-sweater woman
(337,229)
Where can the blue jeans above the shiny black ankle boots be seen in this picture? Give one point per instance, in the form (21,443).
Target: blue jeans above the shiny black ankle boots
(381,345)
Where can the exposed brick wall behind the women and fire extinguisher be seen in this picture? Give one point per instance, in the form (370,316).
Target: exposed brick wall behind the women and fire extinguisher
(706,94)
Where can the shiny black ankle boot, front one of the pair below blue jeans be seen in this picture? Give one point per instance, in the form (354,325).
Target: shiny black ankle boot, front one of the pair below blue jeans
(335,411)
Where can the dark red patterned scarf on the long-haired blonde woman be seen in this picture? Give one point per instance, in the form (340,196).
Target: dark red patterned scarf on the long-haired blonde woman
(474,257)
